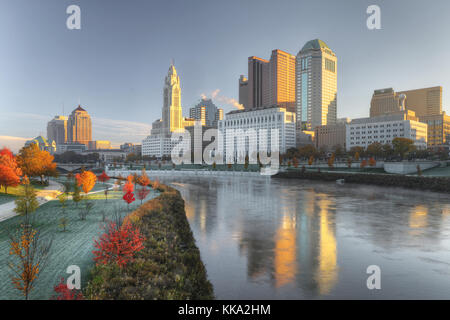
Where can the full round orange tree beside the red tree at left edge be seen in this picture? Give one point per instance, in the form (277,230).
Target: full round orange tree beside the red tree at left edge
(35,162)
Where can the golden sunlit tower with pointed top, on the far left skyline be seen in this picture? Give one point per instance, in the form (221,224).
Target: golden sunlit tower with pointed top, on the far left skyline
(79,127)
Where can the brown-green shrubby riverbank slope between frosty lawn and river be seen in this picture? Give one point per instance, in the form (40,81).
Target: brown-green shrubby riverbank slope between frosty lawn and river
(169,267)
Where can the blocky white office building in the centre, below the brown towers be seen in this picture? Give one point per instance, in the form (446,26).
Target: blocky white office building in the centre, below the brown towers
(240,130)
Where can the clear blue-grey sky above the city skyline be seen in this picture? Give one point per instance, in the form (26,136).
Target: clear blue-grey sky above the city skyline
(116,63)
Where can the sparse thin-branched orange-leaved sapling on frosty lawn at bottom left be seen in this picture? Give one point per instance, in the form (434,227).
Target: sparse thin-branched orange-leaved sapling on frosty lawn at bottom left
(29,254)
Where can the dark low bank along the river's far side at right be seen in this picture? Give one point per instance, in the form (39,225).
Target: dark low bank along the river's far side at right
(437,184)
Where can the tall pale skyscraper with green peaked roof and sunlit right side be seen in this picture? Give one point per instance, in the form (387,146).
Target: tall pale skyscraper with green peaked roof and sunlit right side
(316,85)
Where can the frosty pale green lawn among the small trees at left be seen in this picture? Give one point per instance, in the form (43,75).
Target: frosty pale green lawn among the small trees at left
(73,247)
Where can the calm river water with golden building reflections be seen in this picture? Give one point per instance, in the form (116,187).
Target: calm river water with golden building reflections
(263,238)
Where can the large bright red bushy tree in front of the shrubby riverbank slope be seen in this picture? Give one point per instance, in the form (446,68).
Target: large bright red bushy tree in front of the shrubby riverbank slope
(119,244)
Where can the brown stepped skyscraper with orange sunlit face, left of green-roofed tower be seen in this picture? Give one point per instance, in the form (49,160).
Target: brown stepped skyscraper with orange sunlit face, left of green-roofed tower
(270,82)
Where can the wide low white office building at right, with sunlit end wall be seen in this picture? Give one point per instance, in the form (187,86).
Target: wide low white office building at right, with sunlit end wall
(383,129)
